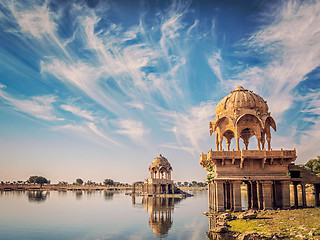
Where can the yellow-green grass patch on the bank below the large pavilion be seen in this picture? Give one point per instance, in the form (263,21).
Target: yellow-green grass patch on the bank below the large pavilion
(286,224)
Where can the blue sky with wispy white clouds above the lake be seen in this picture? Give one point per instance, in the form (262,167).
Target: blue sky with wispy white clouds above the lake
(97,89)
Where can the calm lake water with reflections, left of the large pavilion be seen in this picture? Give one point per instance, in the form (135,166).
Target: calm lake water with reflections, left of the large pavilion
(101,215)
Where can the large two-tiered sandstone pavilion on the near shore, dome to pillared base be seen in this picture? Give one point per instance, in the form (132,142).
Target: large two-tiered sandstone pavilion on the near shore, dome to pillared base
(241,115)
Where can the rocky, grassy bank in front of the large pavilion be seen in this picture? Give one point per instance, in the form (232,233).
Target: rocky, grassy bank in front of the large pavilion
(301,223)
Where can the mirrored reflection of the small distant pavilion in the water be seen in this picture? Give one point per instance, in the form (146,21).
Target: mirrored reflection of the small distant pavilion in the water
(160,210)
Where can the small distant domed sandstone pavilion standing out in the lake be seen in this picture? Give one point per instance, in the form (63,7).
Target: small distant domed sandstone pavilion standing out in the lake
(160,178)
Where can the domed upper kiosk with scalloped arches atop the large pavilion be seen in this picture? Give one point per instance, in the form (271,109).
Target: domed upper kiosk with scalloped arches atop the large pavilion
(242,114)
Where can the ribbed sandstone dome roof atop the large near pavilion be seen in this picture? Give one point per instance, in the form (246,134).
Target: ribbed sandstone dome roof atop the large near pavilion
(242,98)
